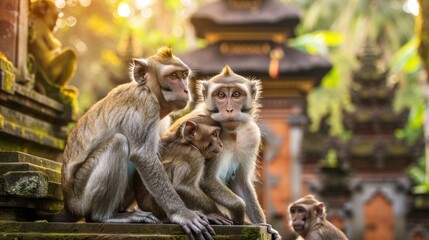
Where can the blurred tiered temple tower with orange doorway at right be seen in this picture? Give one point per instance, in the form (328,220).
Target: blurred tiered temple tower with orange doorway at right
(367,190)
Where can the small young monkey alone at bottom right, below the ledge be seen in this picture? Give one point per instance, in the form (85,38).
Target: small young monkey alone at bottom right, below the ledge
(307,217)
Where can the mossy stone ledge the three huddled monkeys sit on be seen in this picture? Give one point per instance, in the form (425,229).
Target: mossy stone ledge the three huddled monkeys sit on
(44,230)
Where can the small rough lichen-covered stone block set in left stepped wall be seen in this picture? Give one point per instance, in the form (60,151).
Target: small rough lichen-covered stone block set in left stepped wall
(31,184)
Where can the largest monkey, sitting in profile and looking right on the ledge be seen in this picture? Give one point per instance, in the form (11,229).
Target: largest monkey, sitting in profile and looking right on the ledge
(117,141)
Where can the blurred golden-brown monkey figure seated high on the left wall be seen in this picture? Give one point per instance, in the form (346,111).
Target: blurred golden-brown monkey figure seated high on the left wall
(59,64)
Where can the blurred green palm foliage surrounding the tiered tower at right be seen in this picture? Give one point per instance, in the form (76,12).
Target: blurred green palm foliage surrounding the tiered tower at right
(390,25)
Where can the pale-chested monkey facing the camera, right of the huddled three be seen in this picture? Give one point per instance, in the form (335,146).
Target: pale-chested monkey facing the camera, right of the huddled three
(234,102)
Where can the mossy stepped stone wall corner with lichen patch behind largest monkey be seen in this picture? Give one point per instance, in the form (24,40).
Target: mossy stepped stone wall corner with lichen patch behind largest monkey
(27,183)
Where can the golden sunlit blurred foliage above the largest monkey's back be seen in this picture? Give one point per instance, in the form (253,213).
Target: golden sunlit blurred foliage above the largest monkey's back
(107,34)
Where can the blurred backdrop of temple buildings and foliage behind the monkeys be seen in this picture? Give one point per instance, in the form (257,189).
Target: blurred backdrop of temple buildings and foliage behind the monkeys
(345,92)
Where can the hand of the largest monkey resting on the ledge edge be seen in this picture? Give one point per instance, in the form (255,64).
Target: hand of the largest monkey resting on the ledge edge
(194,223)
